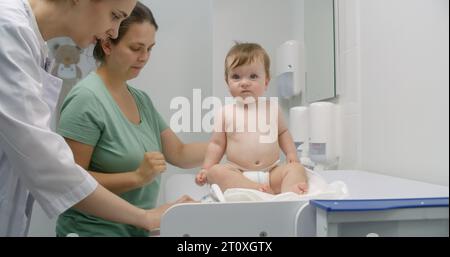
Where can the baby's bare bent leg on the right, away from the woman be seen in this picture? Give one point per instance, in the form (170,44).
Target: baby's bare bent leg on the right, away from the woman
(289,177)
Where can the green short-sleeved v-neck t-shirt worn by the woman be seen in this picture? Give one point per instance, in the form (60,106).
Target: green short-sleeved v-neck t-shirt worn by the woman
(91,116)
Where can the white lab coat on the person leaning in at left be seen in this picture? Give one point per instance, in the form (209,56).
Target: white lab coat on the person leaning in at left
(34,161)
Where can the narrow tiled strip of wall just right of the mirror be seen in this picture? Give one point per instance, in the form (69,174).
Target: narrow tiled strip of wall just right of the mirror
(348,84)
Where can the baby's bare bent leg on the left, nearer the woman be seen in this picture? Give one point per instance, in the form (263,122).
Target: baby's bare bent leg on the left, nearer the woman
(227,176)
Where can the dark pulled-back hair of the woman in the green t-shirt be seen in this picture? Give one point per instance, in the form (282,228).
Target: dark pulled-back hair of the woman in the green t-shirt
(139,15)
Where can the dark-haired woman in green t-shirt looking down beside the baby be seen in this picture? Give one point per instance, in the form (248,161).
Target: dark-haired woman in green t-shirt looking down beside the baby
(116,133)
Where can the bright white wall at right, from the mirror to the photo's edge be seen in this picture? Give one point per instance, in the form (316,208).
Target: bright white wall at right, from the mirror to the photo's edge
(394,87)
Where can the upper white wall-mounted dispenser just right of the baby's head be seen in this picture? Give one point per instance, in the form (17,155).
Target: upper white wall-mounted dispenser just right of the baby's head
(290,69)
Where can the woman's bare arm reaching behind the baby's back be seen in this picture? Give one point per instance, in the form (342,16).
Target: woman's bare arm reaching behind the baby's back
(179,154)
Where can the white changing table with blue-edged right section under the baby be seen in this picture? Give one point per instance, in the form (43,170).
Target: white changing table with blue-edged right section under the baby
(386,206)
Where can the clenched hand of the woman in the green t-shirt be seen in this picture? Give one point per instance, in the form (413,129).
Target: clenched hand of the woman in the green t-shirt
(151,166)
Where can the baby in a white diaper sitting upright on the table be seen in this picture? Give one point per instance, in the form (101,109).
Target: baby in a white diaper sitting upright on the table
(253,160)
